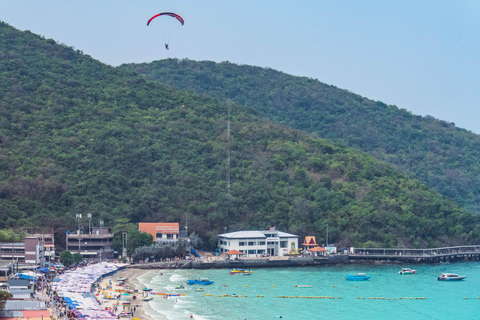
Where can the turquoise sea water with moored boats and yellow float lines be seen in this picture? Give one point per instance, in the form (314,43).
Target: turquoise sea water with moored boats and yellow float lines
(352,299)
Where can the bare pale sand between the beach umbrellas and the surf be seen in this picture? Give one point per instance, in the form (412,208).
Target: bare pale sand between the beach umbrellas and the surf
(138,304)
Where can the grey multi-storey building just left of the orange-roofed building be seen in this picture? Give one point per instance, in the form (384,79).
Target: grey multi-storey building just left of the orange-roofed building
(98,245)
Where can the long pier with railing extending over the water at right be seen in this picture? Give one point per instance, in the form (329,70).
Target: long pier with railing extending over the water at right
(432,255)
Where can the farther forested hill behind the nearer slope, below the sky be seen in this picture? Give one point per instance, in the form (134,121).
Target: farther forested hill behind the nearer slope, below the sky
(443,156)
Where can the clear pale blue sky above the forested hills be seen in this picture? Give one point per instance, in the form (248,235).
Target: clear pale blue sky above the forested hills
(422,56)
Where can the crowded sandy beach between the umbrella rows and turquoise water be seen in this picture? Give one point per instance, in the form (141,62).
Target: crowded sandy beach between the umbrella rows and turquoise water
(110,287)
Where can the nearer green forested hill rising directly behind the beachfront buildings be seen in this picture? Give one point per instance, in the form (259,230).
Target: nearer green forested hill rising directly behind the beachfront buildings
(77,136)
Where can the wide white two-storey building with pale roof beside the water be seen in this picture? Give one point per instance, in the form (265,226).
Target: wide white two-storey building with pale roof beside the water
(257,243)
